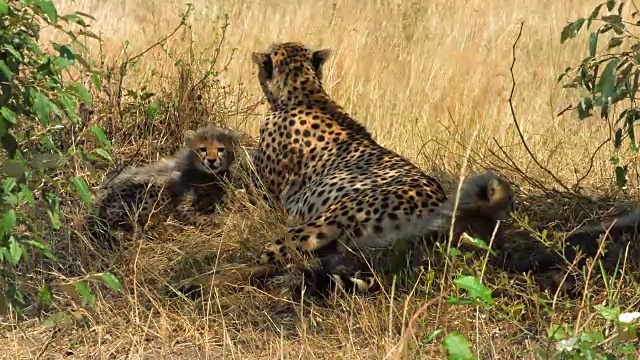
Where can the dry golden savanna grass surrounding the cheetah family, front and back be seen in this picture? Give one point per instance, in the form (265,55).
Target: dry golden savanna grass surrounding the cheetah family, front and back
(430,79)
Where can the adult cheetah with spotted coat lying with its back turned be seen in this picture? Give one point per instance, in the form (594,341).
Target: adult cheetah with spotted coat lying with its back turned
(348,192)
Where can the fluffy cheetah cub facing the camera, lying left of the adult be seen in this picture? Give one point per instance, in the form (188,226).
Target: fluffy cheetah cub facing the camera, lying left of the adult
(188,186)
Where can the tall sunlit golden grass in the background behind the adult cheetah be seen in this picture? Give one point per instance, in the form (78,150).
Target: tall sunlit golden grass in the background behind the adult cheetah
(414,72)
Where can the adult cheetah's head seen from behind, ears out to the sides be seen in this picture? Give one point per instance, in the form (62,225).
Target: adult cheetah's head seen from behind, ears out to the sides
(287,70)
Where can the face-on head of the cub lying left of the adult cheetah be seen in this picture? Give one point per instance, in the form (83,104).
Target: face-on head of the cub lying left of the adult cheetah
(212,148)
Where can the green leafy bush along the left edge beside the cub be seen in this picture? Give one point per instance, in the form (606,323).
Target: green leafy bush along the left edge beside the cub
(44,108)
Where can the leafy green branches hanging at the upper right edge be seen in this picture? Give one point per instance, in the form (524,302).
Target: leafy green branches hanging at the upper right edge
(608,76)
